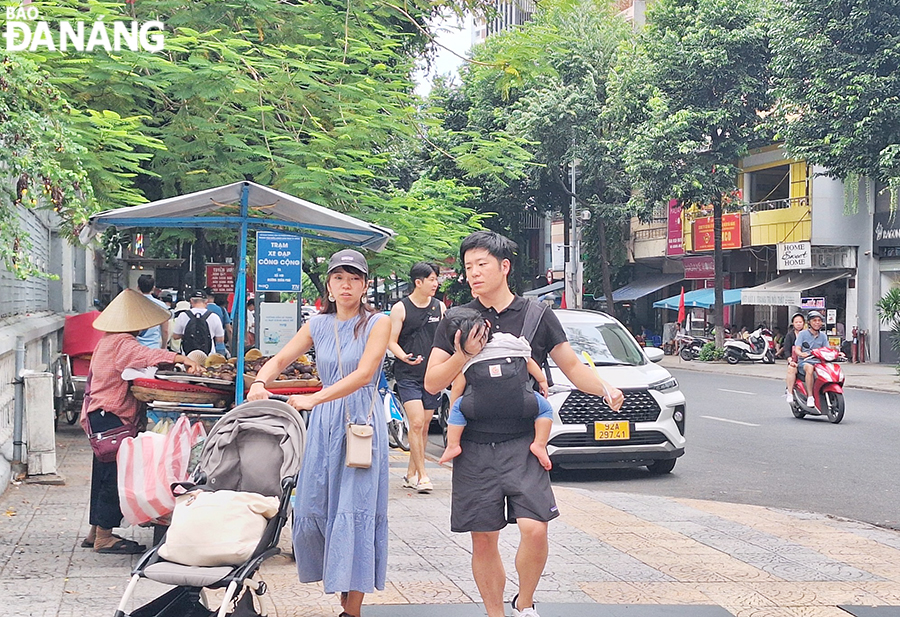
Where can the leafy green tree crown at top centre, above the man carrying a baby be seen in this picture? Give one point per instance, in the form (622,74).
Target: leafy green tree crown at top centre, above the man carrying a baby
(537,92)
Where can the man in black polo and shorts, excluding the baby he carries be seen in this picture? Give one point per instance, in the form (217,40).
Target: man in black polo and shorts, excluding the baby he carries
(501,482)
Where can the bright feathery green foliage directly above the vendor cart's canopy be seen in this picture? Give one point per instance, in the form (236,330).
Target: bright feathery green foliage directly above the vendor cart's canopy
(313,98)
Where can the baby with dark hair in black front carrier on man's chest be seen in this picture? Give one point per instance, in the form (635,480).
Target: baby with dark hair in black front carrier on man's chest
(495,384)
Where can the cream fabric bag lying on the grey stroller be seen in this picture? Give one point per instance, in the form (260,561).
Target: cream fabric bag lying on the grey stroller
(216,528)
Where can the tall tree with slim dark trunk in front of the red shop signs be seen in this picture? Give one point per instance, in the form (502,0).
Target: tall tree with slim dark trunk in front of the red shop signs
(692,94)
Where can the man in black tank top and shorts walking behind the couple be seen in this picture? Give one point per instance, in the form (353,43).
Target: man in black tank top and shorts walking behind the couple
(414,321)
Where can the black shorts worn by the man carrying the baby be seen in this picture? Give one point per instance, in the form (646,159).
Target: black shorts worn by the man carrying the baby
(494,484)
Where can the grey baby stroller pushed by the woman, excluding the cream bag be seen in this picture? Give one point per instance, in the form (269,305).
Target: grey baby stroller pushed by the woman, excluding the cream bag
(256,447)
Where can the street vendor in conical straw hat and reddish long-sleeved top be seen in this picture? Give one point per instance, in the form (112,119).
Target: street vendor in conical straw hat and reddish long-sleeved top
(109,404)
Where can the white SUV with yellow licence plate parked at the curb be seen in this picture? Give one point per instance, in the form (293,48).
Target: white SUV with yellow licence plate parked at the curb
(647,431)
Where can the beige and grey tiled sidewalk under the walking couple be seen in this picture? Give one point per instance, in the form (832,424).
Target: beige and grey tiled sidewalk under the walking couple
(606,549)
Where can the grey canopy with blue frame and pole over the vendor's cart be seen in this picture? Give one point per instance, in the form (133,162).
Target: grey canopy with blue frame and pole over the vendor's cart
(243,206)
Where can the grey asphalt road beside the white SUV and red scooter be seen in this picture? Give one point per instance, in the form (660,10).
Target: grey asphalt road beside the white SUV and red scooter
(744,446)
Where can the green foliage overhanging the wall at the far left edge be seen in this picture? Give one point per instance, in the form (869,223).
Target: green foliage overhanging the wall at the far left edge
(54,156)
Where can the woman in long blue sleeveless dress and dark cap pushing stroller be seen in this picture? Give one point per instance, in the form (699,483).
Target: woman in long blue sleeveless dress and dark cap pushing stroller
(340,515)
